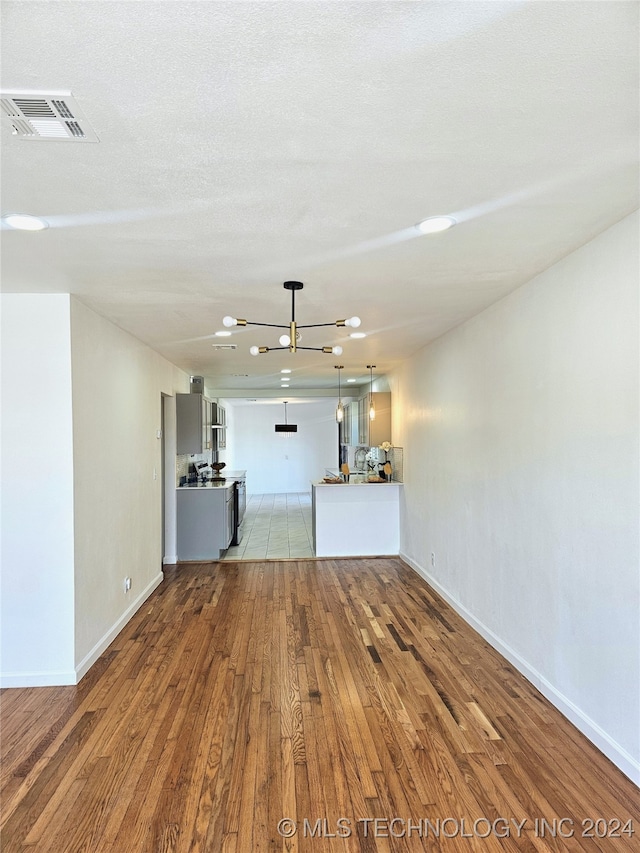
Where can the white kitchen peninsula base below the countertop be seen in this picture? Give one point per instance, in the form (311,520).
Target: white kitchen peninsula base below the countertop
(356,519)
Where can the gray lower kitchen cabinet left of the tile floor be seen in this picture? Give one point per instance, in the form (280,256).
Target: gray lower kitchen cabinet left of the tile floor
(204,521)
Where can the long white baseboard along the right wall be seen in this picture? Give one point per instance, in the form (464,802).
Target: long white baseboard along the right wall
(590,729)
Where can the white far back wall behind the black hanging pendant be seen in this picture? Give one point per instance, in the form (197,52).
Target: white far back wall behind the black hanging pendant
(277,462)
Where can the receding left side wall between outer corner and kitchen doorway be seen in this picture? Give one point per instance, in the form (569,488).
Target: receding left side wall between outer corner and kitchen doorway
(118,384)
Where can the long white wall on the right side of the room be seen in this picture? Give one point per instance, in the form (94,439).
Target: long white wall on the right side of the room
(520,431)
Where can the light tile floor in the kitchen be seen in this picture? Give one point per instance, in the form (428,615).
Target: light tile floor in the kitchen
(275,527)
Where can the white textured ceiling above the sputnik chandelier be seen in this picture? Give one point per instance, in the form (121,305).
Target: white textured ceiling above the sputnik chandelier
(244,144)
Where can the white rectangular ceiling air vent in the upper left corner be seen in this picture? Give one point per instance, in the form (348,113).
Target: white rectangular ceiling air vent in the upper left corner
(39,116)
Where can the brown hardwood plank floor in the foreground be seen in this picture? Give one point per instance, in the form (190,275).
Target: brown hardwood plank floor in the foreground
(331,693)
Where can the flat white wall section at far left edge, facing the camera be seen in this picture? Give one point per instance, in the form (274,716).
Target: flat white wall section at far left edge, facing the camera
(37,492)
